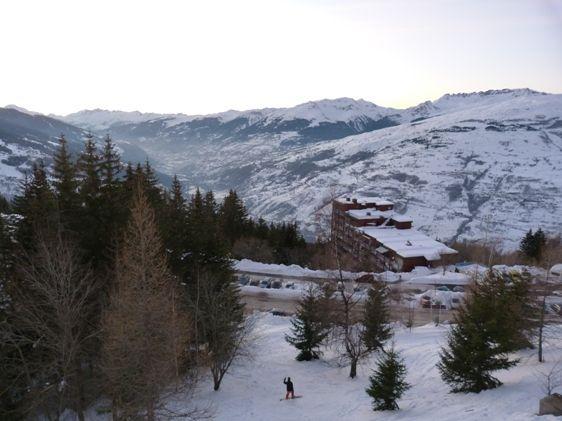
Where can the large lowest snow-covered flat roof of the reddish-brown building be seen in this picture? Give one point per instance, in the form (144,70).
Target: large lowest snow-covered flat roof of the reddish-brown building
(408,242)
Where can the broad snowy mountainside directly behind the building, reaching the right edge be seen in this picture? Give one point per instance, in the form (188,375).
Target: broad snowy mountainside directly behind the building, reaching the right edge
(483,171)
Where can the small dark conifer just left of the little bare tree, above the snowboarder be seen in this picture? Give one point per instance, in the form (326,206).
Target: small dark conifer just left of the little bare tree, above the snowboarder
(309,328)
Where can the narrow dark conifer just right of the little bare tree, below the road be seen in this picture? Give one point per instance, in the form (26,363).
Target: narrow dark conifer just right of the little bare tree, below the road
(376,317)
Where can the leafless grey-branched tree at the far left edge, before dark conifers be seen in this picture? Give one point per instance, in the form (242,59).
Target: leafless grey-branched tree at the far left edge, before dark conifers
(52,312)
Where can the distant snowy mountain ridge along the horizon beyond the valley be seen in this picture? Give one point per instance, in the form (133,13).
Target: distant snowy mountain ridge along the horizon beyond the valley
(315,120)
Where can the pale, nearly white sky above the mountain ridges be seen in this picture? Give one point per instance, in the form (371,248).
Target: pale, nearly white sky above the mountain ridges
(199,57)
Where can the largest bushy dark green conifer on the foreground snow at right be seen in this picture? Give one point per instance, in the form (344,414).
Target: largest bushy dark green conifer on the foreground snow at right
(482,337)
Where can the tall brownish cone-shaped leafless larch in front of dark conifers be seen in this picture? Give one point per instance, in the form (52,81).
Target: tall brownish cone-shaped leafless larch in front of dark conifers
(145,333)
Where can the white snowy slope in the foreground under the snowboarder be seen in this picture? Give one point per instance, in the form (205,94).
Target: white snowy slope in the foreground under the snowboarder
(251,391)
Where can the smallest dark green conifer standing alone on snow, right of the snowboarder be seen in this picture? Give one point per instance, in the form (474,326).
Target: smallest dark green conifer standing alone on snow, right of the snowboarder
(388,384)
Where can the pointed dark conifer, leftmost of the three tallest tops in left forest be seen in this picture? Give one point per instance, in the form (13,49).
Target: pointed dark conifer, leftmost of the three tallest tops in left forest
(65,184)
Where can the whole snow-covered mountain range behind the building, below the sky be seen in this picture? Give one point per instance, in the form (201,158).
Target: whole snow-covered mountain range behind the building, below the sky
(471,165)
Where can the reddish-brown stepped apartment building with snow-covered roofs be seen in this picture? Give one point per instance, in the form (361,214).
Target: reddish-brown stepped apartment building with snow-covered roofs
(369,230)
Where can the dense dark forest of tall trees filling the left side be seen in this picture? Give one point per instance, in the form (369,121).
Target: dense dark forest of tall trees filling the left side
(113,286)
